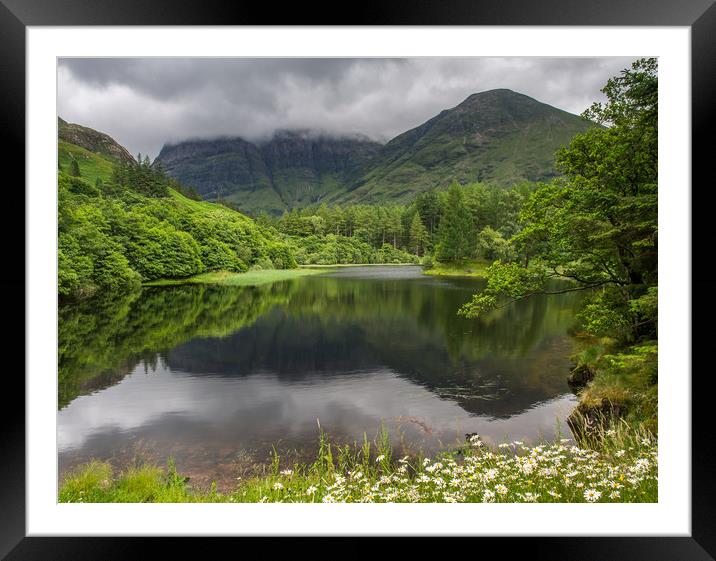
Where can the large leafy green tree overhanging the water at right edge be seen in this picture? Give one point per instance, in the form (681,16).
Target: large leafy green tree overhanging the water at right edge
(597,225)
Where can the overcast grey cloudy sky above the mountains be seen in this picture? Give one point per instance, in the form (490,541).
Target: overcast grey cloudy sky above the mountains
(143,103)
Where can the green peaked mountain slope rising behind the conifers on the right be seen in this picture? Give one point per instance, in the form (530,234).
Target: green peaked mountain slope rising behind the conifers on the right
(497,136)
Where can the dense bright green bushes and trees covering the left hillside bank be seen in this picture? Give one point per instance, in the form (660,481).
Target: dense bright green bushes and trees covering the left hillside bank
(131,227)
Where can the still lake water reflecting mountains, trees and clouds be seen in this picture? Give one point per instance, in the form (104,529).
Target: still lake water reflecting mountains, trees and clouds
(216,376)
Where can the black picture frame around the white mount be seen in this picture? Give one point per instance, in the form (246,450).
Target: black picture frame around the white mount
(699,15)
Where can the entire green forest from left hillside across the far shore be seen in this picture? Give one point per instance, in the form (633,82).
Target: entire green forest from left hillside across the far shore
(121,224)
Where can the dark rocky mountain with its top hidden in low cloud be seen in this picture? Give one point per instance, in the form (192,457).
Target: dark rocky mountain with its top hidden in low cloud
(293,168)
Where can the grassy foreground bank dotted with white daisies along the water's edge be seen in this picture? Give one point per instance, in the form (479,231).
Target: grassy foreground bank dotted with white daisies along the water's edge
(622,468)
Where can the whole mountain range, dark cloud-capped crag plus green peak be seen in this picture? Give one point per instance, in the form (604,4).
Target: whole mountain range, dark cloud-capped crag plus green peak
(497,136)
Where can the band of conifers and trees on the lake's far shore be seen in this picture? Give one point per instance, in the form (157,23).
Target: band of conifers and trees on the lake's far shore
(413,229)
